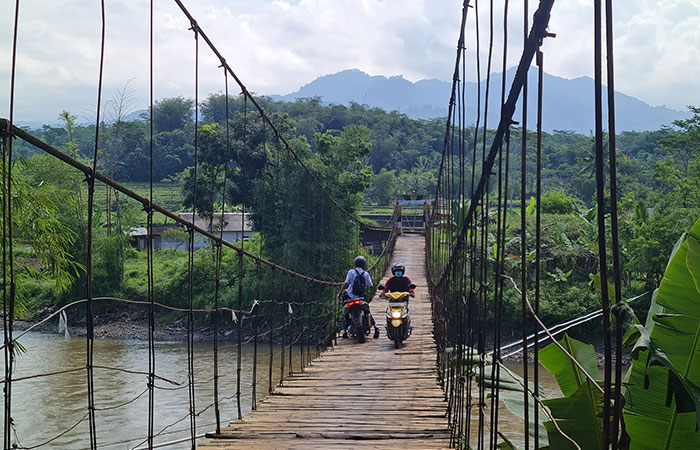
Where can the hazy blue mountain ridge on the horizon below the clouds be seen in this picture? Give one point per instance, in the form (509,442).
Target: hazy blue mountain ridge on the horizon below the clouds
(568,103)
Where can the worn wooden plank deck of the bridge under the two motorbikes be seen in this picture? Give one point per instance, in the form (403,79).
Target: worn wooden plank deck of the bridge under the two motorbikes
(357,396)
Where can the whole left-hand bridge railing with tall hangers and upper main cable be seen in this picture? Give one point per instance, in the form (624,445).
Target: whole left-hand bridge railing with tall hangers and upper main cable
(286,316)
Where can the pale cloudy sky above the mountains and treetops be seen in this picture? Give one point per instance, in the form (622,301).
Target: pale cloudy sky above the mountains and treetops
(276,46)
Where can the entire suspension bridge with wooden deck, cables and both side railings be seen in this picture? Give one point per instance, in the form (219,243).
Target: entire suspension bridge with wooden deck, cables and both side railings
(310,389)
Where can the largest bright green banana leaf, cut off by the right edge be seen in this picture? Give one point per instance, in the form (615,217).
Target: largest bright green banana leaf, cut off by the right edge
(662,408)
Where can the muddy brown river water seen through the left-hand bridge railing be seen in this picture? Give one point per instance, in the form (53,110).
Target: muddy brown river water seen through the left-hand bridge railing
(44,407)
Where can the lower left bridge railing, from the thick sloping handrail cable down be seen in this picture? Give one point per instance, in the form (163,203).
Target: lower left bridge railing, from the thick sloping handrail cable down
(294,326)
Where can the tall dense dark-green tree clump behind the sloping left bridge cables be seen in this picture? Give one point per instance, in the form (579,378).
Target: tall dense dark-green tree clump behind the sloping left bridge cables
(301,229)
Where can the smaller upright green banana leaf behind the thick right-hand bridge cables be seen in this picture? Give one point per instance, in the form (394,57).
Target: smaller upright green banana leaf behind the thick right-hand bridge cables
(578,412)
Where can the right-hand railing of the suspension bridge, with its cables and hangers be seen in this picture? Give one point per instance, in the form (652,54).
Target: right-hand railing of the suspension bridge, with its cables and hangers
(466,251)
